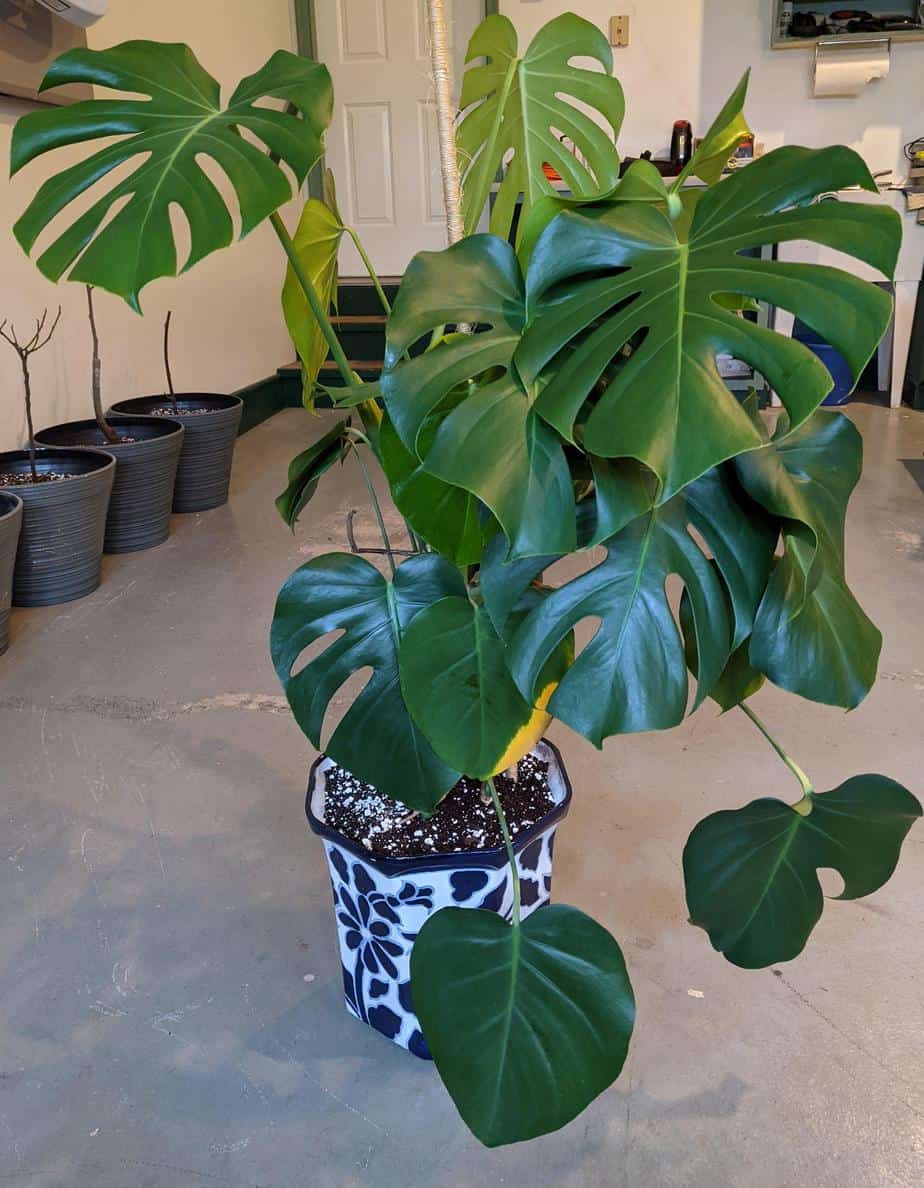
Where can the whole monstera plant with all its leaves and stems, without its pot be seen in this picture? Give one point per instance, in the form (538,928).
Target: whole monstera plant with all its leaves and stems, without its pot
(548,394)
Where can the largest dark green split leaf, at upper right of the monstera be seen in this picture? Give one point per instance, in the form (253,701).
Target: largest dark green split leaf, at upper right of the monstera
(626,276)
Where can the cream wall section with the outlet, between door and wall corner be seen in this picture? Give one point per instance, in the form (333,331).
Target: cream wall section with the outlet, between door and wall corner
(660,69)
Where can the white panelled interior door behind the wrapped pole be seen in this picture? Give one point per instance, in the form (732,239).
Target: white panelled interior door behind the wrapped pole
(383,143)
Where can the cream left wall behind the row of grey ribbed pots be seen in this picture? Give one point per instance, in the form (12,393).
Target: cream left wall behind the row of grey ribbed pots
(227,326)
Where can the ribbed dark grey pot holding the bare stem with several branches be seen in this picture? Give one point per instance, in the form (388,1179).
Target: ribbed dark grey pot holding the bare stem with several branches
(60,555)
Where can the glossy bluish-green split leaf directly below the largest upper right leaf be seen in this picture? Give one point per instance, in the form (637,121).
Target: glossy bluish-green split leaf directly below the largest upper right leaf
(632,675)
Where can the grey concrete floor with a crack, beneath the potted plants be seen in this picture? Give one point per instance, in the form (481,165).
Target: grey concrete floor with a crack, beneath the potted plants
(170,1003)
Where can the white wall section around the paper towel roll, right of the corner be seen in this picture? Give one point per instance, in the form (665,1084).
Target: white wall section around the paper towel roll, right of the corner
(781,106)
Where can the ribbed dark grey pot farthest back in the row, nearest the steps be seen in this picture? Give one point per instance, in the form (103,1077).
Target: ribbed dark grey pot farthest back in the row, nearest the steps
(212,422)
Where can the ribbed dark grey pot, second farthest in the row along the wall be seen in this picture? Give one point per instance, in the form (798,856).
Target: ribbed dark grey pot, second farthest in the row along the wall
(145,473)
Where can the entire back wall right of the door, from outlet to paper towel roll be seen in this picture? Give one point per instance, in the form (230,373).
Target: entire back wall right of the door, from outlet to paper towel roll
(686,56)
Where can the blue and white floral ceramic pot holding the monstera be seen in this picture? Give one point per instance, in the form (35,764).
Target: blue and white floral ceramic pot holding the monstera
(381,905)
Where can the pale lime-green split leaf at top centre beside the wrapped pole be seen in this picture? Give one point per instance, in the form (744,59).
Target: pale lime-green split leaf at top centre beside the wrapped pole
(516,110)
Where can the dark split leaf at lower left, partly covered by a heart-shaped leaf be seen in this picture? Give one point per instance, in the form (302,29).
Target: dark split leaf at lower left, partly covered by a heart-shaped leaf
(377,738)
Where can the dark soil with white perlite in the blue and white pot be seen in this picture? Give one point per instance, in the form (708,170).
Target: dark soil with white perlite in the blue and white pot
(461,822)
